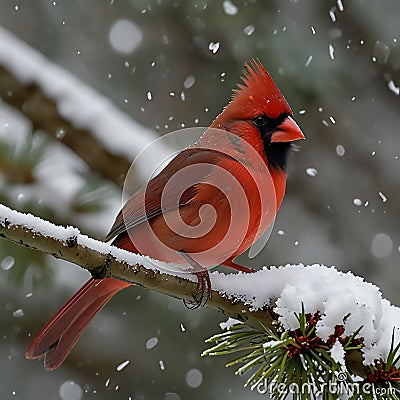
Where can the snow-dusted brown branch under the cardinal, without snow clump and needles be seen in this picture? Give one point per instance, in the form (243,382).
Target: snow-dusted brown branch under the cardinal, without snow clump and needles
(106,261)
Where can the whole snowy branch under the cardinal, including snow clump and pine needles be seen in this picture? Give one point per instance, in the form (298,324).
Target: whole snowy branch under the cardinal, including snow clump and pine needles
(327,319)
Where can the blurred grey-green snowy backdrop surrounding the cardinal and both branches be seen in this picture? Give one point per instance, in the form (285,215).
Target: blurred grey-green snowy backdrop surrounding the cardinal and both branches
(169,64)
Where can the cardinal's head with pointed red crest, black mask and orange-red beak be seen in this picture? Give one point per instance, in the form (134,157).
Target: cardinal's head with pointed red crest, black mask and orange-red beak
(261,115)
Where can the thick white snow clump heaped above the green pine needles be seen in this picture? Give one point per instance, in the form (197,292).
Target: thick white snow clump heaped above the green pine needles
(341,298)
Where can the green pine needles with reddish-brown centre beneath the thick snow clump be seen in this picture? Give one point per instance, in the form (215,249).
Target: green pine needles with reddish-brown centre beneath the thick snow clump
(299,364)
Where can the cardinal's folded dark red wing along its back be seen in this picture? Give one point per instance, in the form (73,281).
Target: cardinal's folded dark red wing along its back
(161,194)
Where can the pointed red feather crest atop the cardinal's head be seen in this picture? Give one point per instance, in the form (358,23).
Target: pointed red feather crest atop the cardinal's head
(258,94)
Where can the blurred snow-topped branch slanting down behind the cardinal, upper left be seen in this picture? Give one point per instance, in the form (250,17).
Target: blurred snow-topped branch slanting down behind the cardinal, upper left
(67,109)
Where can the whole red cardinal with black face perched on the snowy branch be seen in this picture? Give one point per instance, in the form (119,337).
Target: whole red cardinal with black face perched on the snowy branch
(207,206)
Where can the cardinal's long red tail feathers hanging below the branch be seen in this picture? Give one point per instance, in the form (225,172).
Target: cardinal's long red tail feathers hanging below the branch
(59,335)
